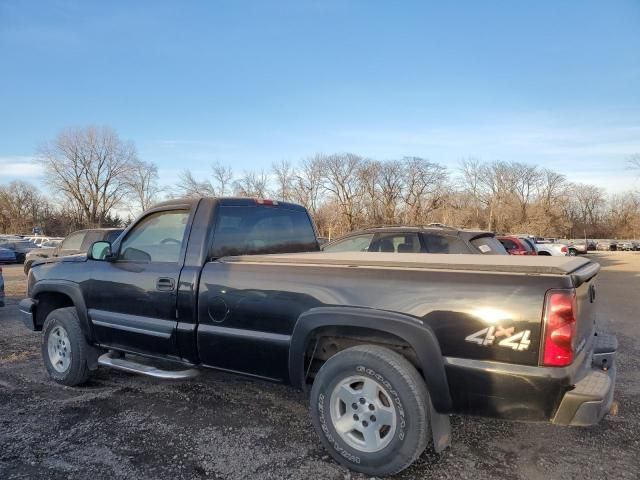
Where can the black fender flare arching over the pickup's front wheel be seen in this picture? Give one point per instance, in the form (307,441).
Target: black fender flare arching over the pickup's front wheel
(54,294)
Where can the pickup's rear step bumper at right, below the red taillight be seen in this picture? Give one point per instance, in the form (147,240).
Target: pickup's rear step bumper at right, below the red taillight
(592,395)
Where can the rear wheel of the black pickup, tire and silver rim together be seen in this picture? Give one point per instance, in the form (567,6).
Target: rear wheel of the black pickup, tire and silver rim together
(369,406)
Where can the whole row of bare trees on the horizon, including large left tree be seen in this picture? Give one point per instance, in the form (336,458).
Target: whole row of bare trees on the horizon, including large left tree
(97,179)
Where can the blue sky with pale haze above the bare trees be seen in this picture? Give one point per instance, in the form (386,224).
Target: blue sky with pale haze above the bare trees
(243,83)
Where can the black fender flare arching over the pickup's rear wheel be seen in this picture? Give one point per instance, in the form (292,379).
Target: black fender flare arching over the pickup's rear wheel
(411,330)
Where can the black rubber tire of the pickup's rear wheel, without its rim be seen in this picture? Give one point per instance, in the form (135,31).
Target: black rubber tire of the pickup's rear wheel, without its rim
(400,381)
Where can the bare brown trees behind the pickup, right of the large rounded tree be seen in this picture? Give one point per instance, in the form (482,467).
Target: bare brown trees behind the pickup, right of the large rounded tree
(345,192)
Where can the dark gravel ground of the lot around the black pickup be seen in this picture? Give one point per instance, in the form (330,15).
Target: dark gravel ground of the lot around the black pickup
(121,426)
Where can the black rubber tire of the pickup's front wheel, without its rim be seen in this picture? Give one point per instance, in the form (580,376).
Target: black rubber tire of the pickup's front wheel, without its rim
(77,371)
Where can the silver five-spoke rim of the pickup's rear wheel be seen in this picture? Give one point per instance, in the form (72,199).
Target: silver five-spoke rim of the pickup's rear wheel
(363,414)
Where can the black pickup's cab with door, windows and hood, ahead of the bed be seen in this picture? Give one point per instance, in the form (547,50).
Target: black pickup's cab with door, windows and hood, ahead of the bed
(140,292)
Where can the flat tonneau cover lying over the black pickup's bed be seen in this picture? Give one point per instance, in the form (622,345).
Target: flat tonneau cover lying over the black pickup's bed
(540,265)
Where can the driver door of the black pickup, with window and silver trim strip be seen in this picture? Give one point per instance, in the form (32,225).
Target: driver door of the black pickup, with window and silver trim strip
(132,300)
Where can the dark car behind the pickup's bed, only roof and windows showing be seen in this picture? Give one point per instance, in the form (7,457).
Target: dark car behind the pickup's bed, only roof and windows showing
(428,239)
